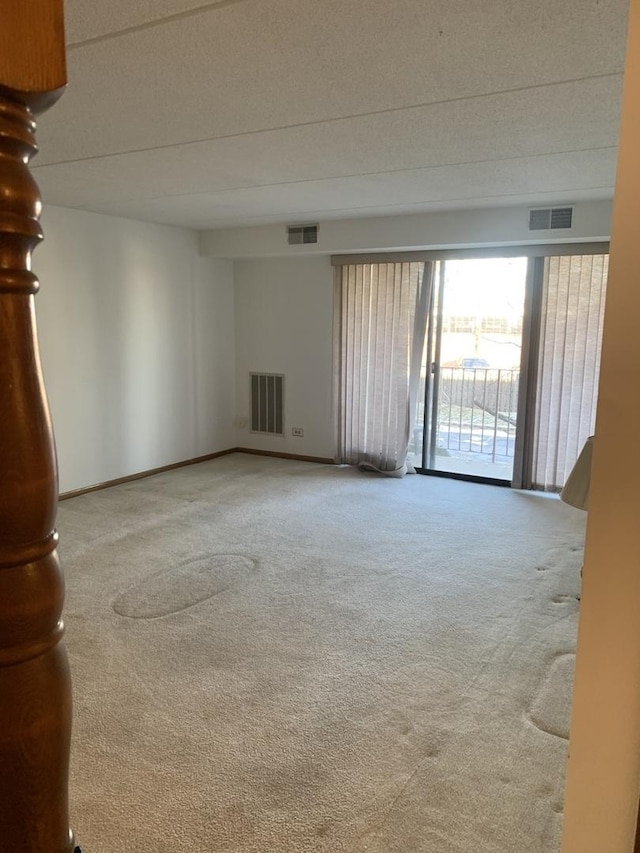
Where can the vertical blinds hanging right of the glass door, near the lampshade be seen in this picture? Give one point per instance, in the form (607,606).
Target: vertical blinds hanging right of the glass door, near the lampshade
(569,363)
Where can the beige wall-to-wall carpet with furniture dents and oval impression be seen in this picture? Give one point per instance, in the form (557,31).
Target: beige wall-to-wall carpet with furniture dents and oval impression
(274,656)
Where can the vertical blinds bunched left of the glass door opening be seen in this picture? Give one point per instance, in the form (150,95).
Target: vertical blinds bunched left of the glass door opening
(380,330)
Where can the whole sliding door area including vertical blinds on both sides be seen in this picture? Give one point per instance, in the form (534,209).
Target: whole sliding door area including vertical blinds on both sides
(506,388)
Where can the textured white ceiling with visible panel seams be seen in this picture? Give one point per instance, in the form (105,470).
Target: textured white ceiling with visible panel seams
(242,112)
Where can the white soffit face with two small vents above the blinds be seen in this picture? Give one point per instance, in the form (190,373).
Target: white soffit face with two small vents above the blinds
(498,226)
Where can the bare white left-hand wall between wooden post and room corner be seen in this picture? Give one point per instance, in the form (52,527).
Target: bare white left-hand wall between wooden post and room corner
(136,337)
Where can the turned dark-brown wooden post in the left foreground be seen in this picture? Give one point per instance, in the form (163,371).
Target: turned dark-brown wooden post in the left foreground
(35,690)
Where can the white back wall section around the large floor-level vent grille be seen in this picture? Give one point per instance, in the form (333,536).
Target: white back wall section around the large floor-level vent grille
(284,320)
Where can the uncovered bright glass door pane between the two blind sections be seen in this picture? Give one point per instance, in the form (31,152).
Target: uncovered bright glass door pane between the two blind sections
(472,367)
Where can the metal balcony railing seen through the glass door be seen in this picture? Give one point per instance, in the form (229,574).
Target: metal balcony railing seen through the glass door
(477,410)
